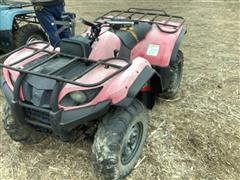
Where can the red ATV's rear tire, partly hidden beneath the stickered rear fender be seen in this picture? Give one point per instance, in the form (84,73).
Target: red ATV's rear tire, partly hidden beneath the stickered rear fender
(174,84)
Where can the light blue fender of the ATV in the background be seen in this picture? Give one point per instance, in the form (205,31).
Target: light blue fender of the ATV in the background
(7,17)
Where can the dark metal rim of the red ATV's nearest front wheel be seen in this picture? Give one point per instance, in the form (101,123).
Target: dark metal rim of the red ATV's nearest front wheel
(132,144)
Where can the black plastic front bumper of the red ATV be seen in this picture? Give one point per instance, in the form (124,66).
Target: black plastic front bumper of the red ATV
(60,122)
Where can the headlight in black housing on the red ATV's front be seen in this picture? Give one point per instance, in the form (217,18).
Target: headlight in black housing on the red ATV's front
(77,98)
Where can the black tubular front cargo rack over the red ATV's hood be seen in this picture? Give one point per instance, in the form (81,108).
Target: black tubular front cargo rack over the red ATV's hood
(72,59)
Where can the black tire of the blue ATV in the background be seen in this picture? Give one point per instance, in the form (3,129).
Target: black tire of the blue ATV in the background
(28,33)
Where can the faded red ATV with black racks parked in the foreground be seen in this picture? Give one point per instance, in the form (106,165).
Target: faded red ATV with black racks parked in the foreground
(106,78)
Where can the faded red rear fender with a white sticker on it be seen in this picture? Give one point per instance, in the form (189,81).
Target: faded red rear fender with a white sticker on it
(158,47)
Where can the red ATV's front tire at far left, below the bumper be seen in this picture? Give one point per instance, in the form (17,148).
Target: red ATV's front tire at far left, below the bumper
(19,132)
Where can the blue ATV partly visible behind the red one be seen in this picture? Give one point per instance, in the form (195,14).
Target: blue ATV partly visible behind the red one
(18,25)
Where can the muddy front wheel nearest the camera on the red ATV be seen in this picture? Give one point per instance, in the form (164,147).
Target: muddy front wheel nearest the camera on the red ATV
(119,141)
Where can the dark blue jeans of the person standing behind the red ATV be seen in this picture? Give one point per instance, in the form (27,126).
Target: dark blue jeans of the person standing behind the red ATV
(46,17)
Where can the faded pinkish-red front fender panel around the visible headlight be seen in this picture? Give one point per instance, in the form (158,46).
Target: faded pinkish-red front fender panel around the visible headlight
(125,85)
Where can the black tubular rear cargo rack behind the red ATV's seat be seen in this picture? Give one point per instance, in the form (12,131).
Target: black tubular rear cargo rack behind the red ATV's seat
(152,16)
